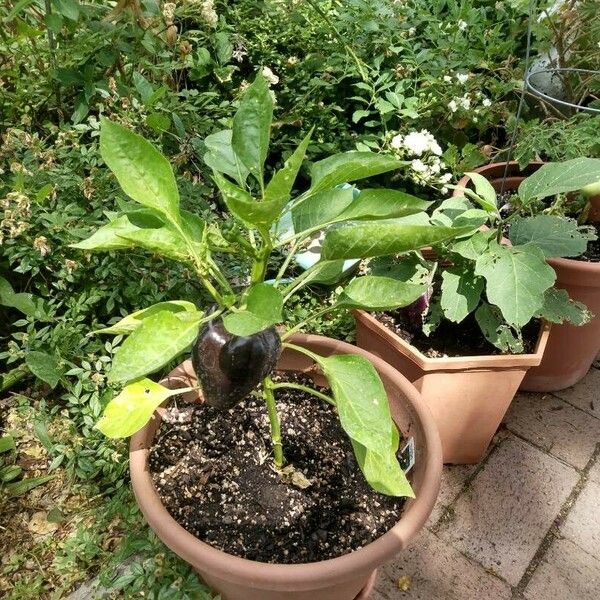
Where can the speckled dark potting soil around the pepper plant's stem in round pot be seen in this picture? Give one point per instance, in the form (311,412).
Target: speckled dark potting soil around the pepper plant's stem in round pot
(213,471)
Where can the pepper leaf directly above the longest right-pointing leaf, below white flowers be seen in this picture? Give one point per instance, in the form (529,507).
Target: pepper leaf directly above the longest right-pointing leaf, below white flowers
(383,204)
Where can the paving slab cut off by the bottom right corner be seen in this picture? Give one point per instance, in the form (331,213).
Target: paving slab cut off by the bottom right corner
(566,573)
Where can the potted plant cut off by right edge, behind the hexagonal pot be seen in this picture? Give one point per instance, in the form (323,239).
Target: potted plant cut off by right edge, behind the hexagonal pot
(567,190)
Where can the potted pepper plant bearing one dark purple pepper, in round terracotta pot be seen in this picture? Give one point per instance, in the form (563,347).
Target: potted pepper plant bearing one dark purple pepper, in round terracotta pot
(285,481)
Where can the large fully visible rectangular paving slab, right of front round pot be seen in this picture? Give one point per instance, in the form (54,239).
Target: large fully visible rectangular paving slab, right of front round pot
(501,519)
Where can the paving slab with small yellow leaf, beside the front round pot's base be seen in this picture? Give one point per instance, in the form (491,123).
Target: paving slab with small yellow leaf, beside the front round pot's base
(433,570)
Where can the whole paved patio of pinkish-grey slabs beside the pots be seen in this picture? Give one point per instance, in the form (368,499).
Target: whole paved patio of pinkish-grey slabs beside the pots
(525,523)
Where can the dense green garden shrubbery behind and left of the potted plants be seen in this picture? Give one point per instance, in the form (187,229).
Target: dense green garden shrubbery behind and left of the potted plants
(363,73)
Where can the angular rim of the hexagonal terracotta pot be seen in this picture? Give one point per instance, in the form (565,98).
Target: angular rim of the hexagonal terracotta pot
(457,363)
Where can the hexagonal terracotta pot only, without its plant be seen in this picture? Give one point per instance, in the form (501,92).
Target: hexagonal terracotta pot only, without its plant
(468,396)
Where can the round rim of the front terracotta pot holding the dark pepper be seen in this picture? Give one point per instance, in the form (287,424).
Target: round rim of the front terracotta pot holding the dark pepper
(278,576)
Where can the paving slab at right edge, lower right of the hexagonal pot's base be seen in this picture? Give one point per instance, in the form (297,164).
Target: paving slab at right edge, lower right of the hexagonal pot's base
(565,432)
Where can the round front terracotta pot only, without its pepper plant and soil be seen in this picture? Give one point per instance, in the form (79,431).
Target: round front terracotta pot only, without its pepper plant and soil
(344,578)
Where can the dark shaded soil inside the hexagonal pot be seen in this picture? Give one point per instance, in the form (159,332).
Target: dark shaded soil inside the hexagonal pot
(451,339)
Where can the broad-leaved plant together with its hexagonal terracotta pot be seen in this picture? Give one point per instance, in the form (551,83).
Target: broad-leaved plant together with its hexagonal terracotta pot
(484,320)
